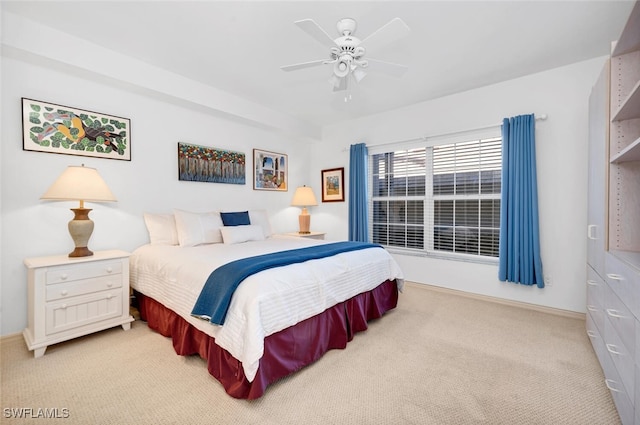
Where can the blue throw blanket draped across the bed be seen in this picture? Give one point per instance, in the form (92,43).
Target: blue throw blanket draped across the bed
(215,297)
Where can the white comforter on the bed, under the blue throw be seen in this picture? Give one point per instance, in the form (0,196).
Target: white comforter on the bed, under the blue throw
(264,303)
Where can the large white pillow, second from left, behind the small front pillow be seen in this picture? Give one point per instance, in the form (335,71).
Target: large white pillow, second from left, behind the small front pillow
(198,228)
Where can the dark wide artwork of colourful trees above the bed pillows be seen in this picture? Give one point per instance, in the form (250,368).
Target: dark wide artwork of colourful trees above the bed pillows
(205,164)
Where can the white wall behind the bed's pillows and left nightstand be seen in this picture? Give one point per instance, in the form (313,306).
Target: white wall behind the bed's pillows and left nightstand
(148,182)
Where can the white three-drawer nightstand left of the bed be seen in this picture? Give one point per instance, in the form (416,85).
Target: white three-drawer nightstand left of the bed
(72,297)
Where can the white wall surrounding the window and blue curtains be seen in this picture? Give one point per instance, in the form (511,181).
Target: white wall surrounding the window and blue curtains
(561,143)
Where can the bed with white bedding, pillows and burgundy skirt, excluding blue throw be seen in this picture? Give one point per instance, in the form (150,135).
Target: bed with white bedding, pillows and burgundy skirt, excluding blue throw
(279,319)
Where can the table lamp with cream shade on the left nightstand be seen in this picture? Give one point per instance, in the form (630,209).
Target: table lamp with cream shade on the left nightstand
(80,184)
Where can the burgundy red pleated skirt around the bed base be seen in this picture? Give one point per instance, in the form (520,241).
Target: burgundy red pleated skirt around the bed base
(284,352)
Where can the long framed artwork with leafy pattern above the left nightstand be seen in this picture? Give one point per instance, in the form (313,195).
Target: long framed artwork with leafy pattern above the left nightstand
(47,127)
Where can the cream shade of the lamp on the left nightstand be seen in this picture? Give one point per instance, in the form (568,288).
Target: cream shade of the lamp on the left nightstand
(79,184)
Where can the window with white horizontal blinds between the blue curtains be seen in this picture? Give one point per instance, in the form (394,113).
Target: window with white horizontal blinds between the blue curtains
(442,199)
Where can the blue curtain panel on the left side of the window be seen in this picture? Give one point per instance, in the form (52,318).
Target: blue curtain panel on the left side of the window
(358,211)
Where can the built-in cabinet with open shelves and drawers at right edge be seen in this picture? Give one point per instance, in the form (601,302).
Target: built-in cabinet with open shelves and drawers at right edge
(613,232)
